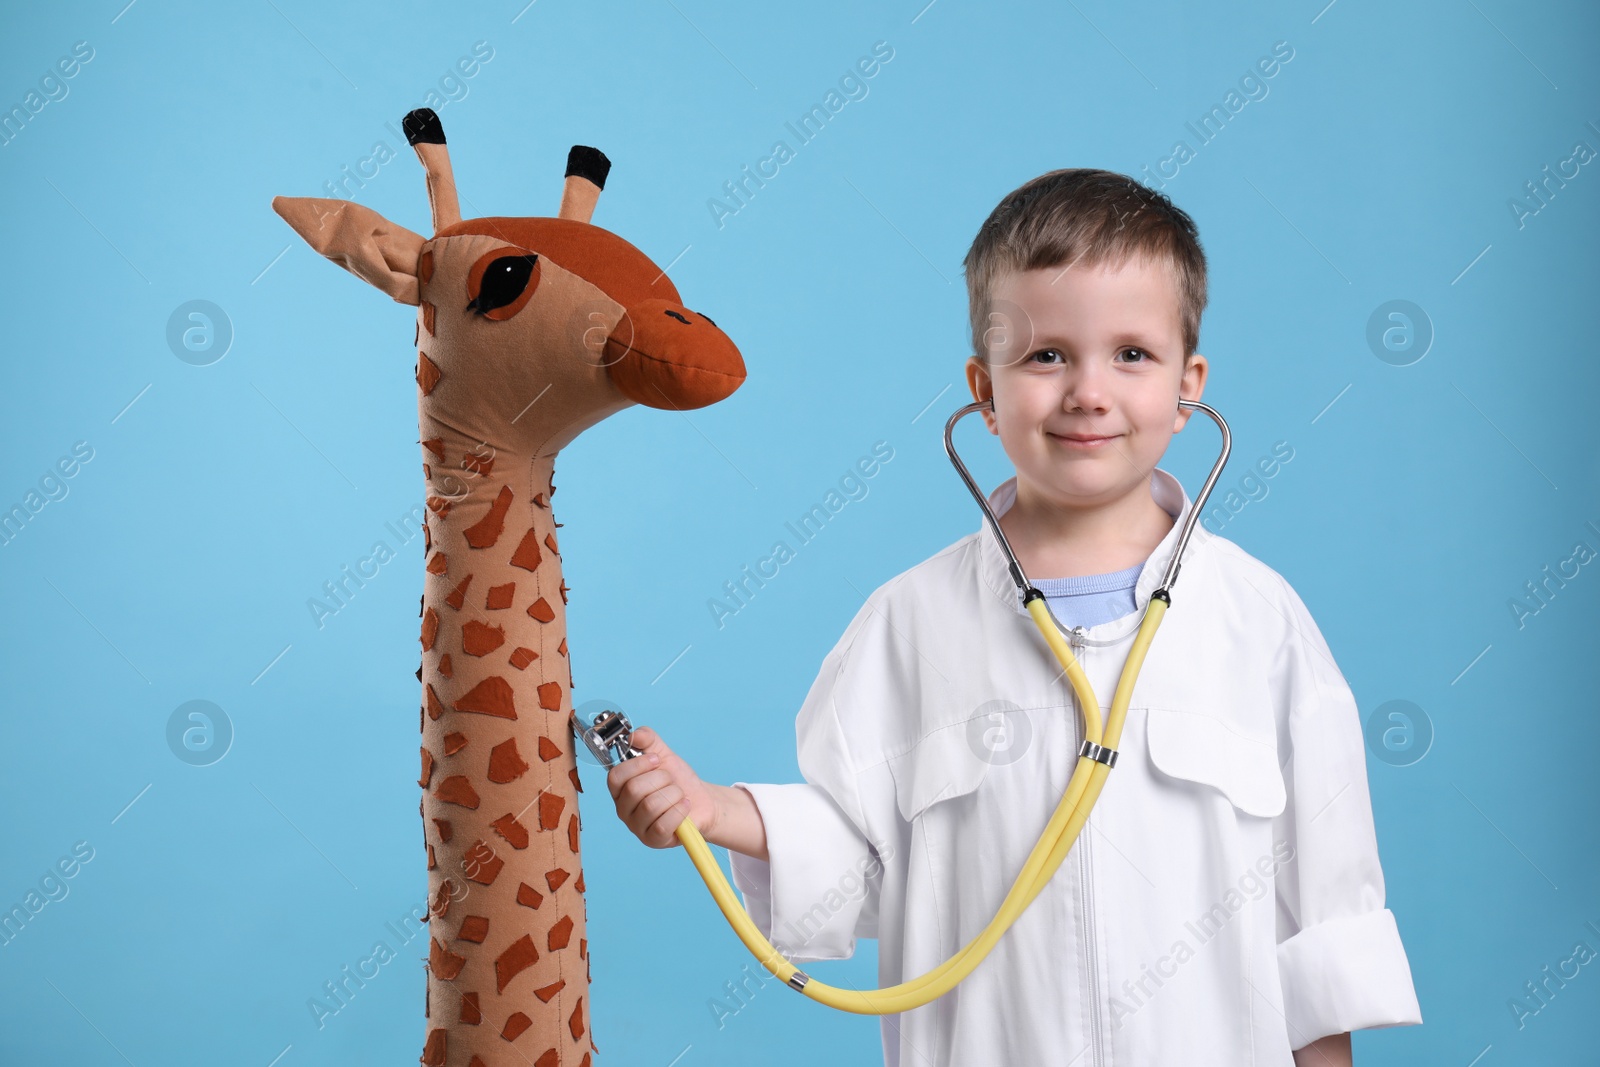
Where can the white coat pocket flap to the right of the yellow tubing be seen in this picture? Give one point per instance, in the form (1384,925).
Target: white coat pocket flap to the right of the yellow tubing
(1199,748)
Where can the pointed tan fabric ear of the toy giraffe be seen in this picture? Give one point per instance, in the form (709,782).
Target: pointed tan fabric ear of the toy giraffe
(361,241)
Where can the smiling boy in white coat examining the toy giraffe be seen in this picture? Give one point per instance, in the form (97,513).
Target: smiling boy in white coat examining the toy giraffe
(1225,903)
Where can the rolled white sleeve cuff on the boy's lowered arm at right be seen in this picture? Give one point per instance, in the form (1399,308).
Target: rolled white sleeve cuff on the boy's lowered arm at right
(1346,973)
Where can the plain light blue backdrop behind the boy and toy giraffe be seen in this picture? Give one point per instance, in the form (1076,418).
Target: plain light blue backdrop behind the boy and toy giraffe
(178,567)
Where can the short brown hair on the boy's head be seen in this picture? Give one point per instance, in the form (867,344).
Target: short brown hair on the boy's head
(1092,218)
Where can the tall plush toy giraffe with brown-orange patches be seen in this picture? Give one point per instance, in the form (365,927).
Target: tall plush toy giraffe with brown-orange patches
(530,330)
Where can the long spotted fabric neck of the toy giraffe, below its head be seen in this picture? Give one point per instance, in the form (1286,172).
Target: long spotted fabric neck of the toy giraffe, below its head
(510,956)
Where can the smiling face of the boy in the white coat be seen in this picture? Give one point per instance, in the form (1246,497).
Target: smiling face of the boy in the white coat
(1086,353)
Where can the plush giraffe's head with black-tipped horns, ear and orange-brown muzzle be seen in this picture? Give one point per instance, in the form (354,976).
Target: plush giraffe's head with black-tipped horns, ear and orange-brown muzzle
(530,330)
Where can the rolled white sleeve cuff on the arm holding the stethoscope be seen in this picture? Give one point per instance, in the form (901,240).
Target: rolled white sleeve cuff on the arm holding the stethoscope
(809,895)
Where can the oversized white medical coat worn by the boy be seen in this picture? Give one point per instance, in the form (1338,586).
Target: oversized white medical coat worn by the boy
(1225,903)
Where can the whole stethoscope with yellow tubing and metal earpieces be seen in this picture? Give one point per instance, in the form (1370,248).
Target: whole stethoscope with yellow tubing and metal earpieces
(609,740)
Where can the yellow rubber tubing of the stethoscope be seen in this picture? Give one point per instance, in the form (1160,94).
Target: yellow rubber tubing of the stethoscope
(1054,845)
